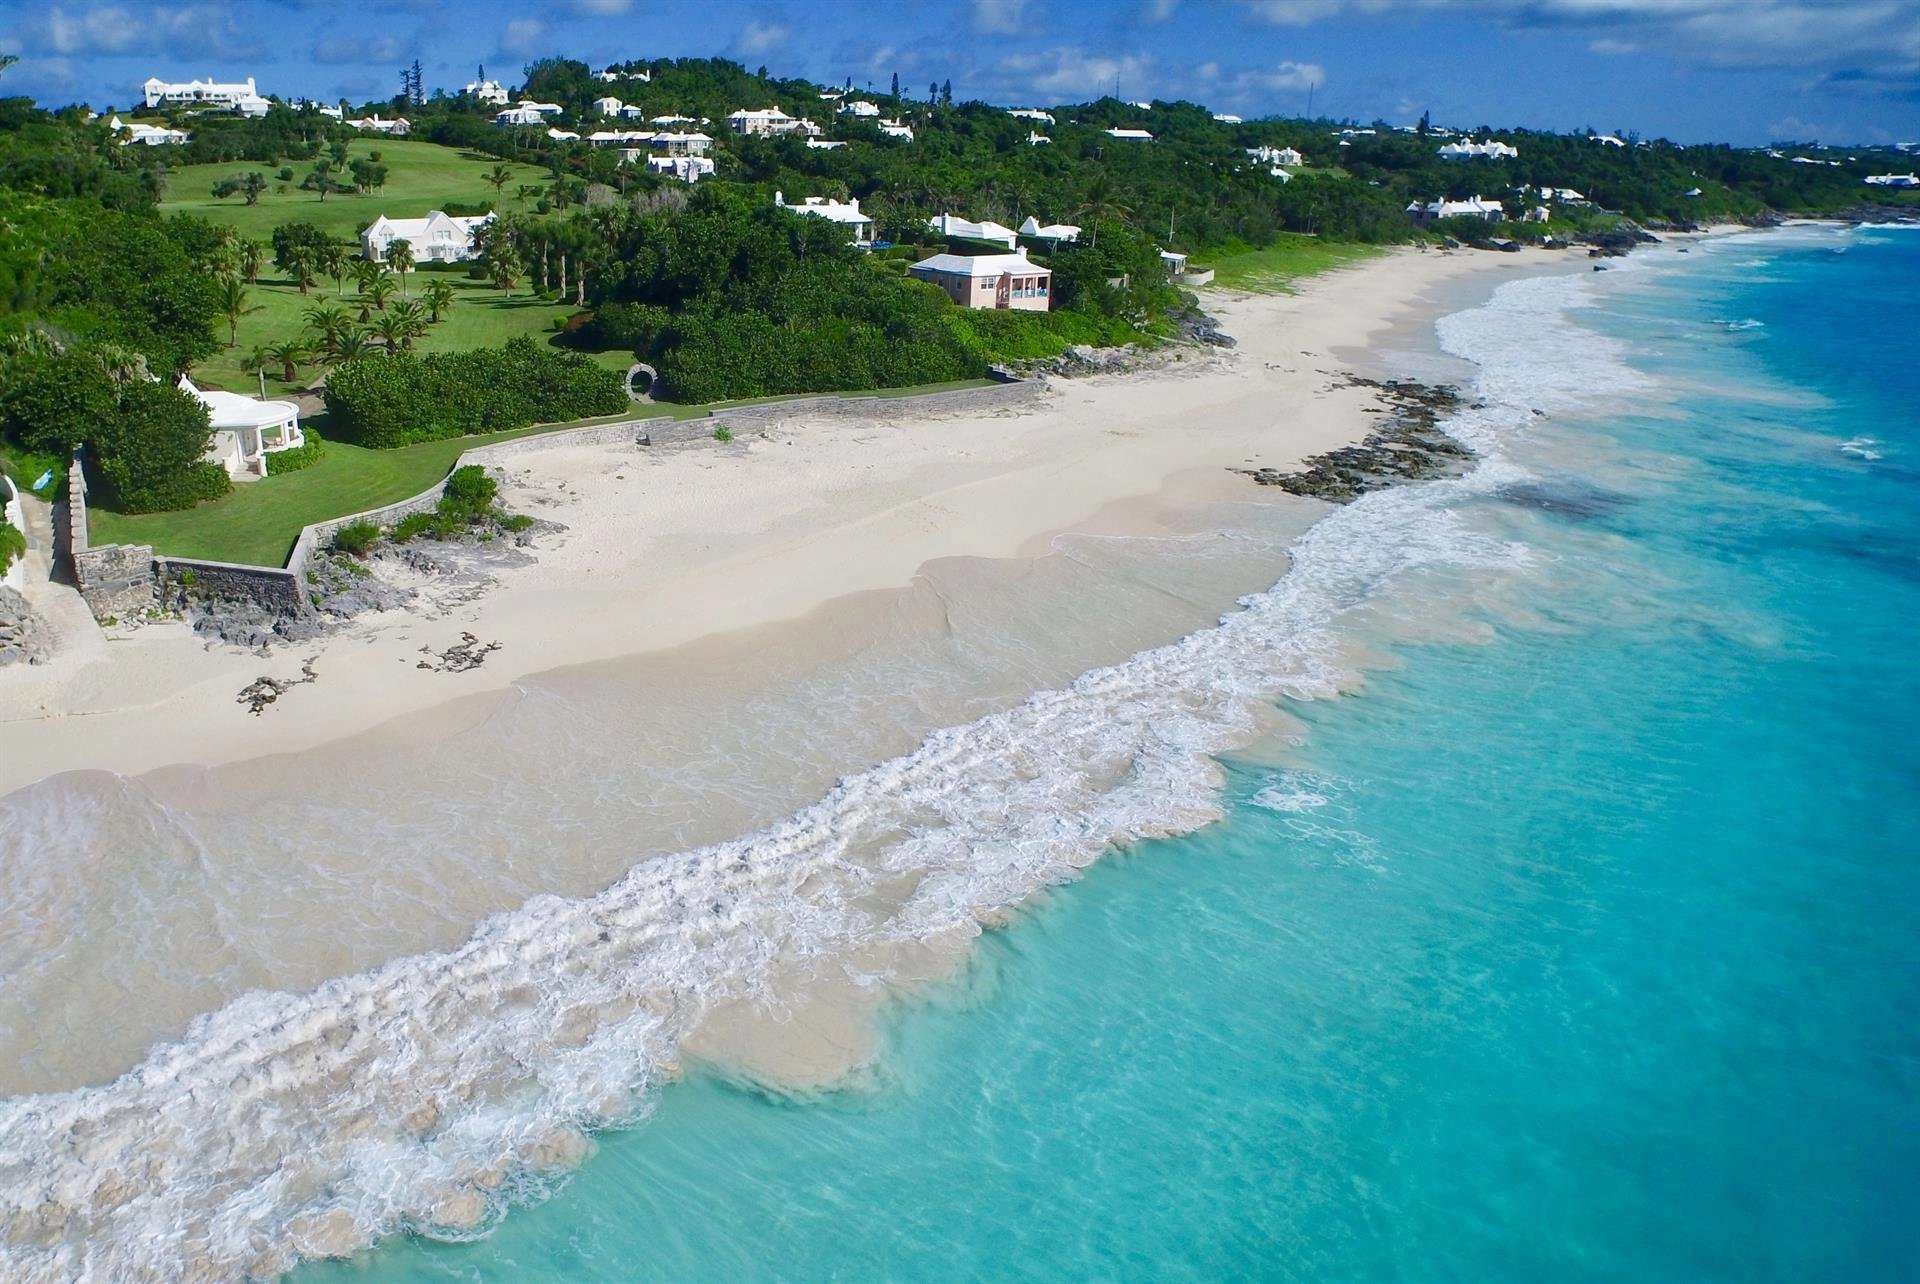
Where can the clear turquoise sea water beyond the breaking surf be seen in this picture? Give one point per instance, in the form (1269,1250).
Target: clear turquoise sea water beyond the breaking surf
(1581,945)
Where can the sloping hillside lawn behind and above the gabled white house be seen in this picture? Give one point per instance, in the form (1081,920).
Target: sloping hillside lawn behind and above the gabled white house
(421,176)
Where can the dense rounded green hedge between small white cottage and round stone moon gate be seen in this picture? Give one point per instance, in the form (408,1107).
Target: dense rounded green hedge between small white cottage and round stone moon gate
(385,402)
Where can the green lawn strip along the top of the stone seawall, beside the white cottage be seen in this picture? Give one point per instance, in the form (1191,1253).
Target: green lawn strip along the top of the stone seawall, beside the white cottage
(260,521)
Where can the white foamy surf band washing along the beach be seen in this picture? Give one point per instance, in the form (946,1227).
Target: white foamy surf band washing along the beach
(433,1093)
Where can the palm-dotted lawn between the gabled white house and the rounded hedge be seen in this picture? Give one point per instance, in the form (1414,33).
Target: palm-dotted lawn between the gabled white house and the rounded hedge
(481,318)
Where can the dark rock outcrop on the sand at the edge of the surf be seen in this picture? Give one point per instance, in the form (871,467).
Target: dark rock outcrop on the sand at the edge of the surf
(1408,448)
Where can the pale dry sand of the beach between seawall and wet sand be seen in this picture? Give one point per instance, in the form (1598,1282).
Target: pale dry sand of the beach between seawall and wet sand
(669,546)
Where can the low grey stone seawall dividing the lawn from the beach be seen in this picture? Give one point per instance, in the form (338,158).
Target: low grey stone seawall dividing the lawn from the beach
(120,581)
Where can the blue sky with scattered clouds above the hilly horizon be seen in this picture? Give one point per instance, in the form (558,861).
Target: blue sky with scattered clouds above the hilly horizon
(1691,70)
